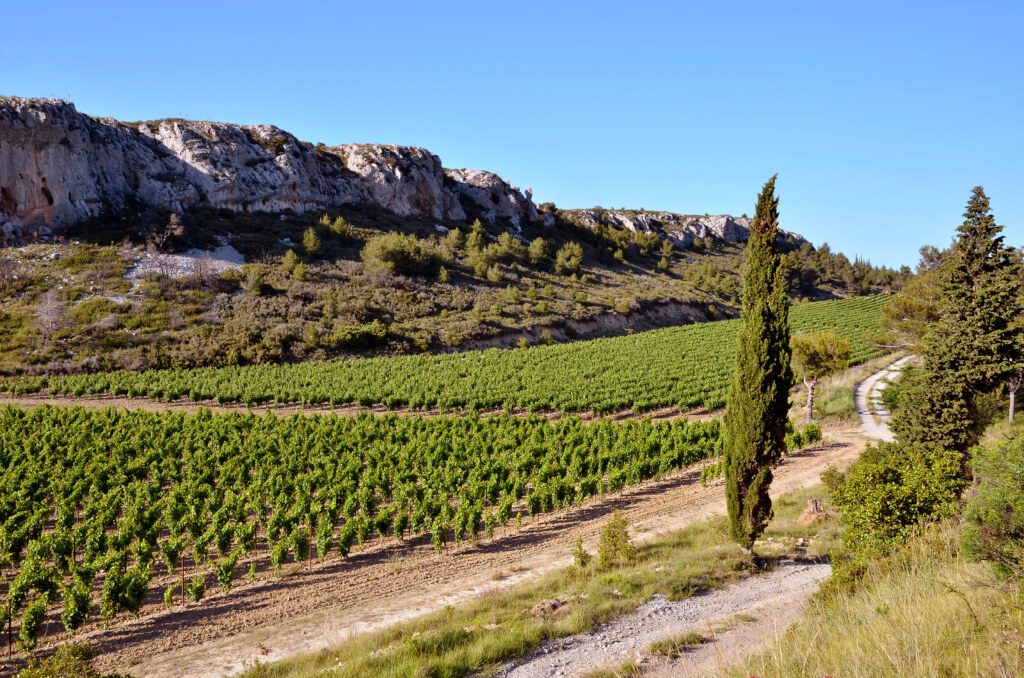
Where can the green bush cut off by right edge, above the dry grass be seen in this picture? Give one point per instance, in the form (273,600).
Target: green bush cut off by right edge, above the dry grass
(994,529)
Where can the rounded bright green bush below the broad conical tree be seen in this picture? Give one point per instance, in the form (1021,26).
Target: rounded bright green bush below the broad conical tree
(891,491)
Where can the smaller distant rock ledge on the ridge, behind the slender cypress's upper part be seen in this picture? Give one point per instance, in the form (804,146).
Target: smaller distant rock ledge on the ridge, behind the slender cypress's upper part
(682,230)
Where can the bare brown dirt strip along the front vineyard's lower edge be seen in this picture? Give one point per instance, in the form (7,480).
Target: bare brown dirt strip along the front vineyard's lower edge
(312,609)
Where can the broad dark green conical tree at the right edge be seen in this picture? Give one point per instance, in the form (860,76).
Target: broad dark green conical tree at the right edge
(972,349)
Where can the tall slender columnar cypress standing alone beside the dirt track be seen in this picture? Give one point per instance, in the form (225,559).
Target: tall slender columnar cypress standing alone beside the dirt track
(759,396)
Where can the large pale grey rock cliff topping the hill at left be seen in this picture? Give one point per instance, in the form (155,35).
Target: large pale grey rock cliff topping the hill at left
(60,167)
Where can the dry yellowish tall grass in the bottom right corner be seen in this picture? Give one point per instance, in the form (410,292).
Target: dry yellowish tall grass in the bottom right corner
(923,613)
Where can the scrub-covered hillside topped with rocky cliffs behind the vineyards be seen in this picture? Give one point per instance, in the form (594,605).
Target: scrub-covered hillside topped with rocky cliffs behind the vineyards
(177,244)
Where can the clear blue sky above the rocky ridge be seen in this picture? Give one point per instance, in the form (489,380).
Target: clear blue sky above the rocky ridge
(878,117)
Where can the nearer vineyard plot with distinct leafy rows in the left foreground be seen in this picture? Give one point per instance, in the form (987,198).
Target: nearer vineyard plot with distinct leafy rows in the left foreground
(95,504)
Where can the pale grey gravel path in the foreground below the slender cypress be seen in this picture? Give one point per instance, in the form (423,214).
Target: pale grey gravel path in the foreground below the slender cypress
(627,639)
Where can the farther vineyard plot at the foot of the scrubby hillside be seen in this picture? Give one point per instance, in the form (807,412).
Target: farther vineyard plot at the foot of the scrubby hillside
(688,367)
